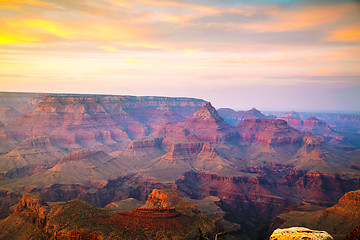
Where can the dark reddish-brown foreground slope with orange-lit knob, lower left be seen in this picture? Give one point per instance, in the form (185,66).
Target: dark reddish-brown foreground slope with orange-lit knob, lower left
(35,219)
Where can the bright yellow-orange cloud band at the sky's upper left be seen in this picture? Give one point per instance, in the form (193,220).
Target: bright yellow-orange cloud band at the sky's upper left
(34,30)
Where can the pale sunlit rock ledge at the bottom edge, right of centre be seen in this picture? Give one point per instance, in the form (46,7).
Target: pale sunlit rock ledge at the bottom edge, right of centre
(299,233)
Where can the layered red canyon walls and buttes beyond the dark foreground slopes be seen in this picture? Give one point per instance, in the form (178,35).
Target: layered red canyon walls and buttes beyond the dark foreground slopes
(103,149)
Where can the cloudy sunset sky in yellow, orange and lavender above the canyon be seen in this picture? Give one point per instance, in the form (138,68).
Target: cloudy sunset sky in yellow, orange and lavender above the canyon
(279,55)
